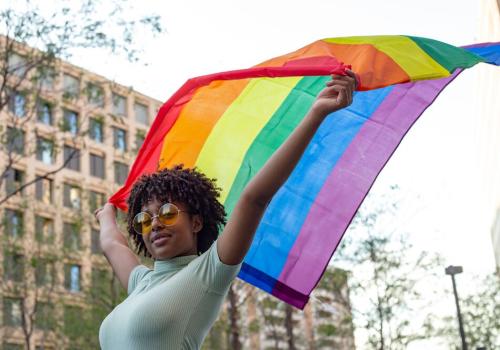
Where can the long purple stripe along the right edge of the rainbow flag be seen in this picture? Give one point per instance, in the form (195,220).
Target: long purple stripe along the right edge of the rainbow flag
(352,178)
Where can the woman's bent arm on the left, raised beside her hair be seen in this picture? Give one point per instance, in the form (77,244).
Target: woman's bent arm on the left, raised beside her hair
(114,245)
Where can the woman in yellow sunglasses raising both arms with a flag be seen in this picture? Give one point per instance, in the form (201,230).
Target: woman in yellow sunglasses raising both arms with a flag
(174,217)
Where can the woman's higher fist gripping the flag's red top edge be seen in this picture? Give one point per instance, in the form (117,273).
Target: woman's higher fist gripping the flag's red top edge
(337,94)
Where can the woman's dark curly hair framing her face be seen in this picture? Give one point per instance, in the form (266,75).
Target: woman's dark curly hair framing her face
(188,186)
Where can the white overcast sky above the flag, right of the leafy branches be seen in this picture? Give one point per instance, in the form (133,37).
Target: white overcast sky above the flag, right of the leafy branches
(204,37)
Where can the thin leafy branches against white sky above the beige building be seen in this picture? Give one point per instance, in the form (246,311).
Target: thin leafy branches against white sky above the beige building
(84,24)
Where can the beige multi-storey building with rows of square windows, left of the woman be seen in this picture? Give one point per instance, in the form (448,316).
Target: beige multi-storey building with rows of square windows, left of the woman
(81,136)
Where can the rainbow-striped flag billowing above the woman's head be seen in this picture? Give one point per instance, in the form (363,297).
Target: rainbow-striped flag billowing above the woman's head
(228,124)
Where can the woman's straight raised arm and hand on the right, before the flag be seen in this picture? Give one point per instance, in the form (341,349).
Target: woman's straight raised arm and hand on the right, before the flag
(238,234)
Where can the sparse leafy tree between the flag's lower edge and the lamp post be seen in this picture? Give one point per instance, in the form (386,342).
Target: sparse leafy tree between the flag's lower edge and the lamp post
(388,270)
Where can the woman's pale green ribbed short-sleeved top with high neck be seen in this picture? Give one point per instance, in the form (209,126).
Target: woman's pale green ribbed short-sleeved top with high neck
(172,306)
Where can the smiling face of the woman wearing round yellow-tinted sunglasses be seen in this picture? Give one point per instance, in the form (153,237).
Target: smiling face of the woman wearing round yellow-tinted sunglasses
(165,242)
